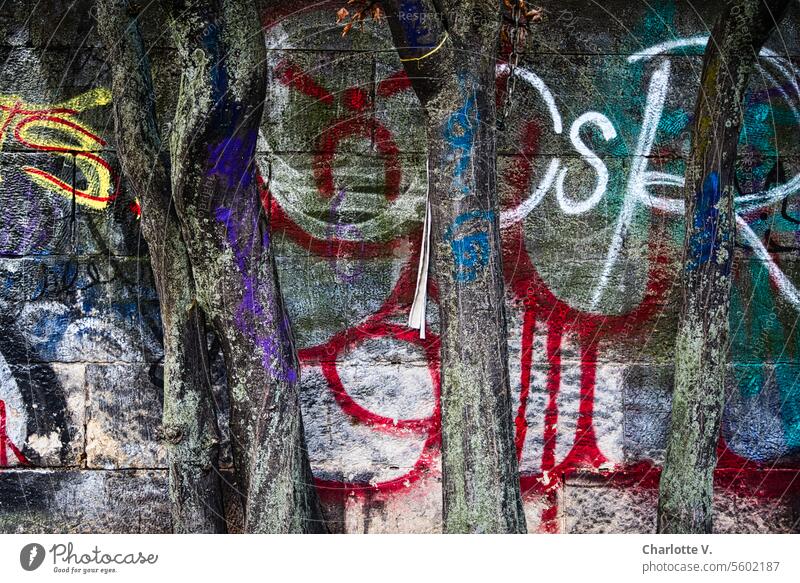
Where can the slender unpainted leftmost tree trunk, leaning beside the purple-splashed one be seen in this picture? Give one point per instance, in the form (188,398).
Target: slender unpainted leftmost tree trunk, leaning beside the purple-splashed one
(189,423)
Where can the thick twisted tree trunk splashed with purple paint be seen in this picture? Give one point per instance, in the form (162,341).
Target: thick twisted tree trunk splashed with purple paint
(221,100)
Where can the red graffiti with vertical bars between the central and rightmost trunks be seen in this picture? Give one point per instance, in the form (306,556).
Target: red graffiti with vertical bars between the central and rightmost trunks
(560,318)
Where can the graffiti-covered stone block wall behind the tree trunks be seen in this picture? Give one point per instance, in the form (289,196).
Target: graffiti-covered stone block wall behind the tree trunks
(590,172)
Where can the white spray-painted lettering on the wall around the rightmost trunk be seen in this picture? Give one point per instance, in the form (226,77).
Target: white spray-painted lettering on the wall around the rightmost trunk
(641,179)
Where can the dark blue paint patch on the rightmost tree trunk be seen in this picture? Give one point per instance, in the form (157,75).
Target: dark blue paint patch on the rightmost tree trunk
(705,241)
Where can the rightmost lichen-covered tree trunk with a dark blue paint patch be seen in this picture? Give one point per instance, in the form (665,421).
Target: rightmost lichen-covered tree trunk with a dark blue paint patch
(701,350)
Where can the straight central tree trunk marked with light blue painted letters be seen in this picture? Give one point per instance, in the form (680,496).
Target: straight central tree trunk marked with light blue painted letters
(449,52)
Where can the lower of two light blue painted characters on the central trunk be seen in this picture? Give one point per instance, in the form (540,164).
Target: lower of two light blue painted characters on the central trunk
(470,251)
